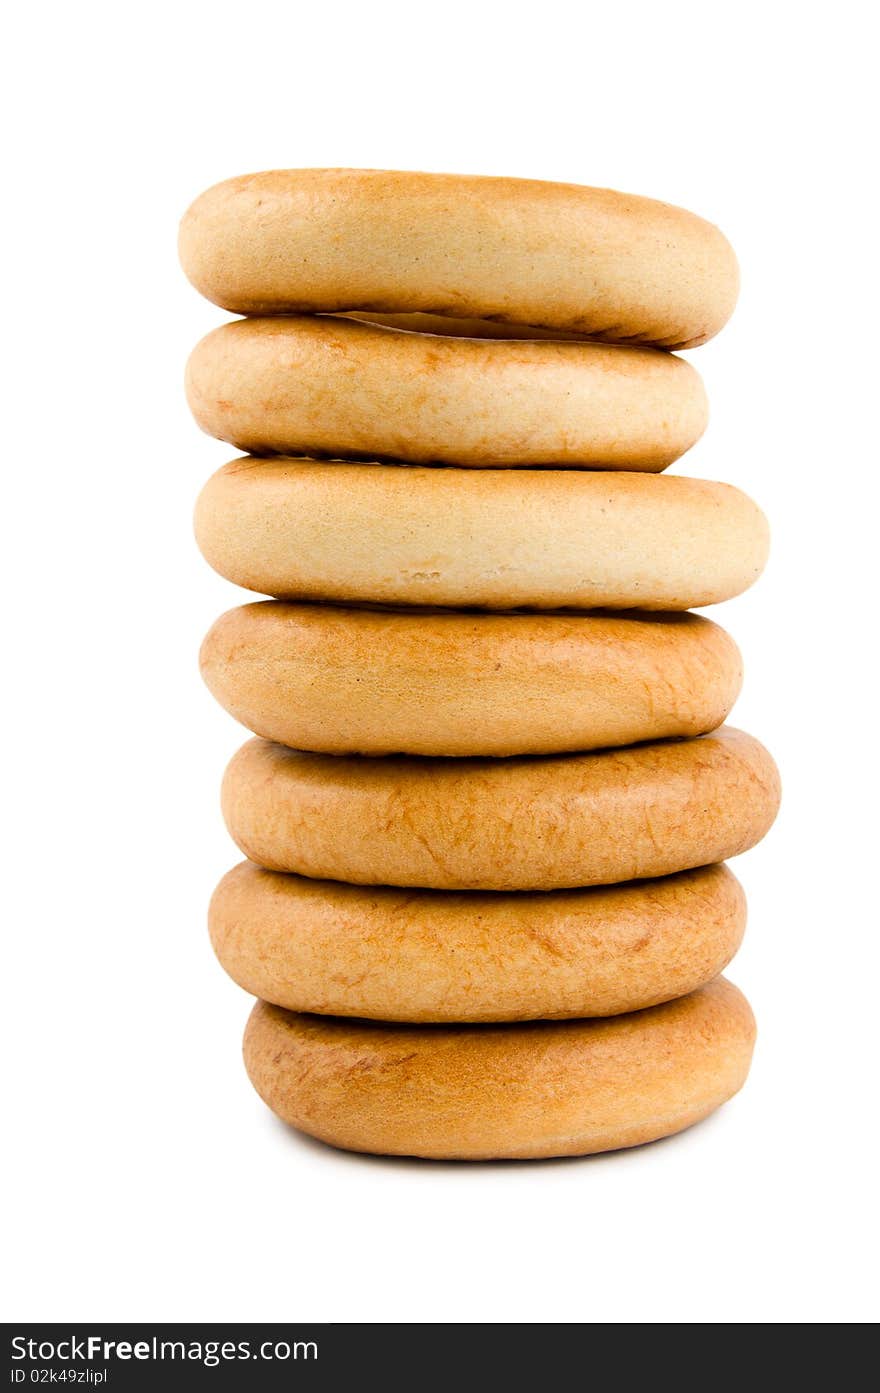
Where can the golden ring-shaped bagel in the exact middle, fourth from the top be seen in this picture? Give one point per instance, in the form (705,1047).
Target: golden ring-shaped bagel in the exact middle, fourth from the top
(456,683)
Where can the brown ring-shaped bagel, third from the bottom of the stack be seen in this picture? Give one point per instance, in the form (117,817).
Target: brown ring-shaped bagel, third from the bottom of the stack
(502,825)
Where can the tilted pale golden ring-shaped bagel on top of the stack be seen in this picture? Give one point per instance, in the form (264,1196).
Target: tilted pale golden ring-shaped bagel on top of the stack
(556,256)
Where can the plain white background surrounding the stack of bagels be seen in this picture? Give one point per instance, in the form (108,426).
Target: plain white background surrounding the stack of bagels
(147,1181)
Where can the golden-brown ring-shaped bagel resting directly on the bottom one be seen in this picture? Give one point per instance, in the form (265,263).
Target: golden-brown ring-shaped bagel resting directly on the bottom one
(431,956)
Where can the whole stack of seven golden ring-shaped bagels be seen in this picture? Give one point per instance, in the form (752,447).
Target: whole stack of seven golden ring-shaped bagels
(488,807)
